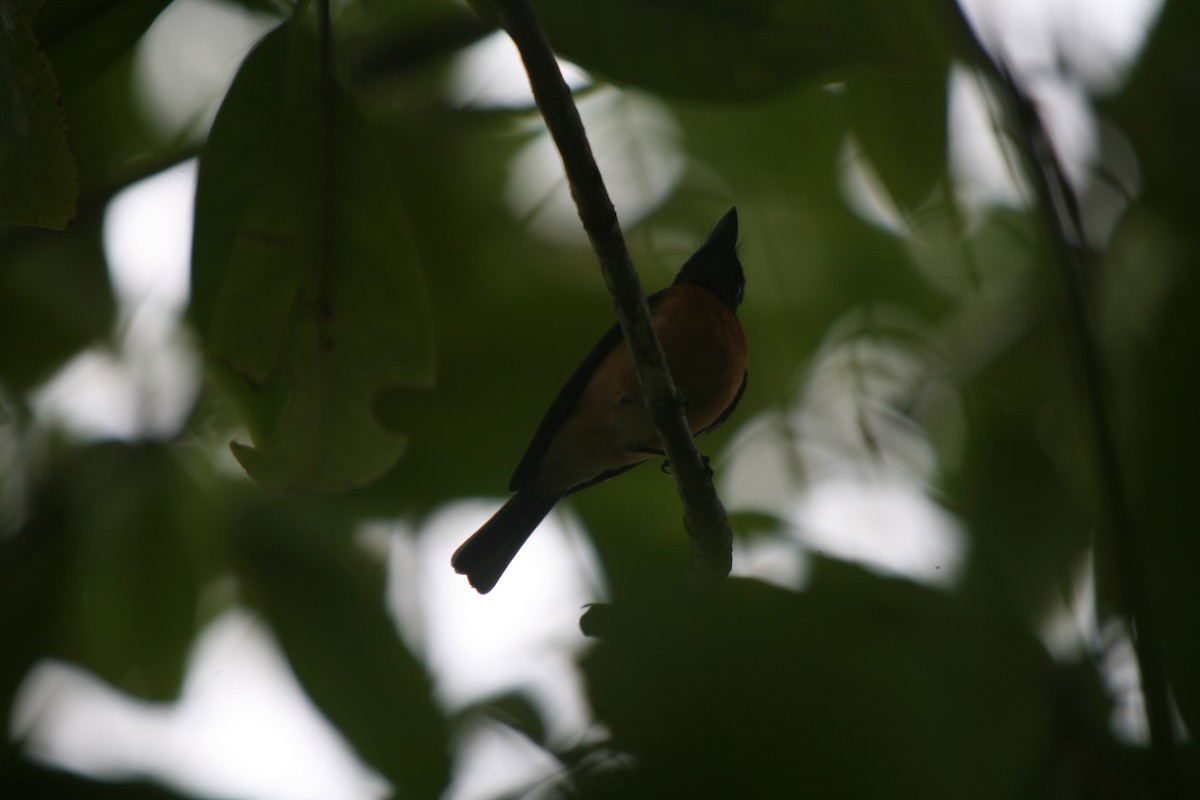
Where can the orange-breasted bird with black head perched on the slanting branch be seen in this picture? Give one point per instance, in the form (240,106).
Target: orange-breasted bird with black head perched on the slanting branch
(599,428)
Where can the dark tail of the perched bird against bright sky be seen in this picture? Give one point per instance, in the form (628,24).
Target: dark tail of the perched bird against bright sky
(488,554)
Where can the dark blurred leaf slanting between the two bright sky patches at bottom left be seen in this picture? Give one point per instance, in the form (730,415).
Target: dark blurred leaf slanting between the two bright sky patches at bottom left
(326,604)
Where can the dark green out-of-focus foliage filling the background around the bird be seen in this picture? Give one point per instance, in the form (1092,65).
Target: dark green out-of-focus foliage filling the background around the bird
(380,323)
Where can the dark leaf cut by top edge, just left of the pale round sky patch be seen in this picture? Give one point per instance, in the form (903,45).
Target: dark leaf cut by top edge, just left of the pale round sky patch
(85,38)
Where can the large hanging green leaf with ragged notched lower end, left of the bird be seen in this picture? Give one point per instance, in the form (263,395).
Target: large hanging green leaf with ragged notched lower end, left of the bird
(304,282)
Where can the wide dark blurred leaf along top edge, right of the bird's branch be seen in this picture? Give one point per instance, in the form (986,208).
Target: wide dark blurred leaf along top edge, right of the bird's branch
(715,50)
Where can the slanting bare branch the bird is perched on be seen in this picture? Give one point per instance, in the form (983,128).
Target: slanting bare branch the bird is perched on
(709,528)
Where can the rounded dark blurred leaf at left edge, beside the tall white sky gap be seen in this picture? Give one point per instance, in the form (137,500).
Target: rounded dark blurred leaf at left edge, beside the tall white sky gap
(55,299)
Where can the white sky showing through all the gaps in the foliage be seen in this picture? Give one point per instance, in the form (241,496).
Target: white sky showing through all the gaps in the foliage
(244,727)
